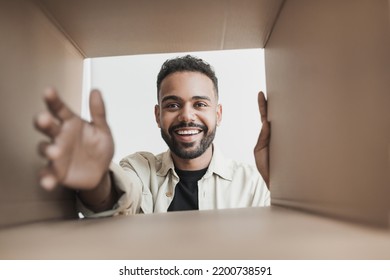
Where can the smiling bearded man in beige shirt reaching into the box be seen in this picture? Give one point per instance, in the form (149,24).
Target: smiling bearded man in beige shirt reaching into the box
(192,175)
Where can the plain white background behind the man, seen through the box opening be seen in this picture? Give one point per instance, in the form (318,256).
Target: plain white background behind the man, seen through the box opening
(129,89)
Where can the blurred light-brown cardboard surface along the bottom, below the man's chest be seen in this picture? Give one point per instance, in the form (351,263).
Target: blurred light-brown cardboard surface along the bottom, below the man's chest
(252,233)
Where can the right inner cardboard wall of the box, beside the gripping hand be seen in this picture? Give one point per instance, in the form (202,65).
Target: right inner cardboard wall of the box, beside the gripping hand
(328,65)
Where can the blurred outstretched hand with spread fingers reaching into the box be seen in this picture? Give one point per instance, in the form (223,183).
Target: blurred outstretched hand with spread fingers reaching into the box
(78,152)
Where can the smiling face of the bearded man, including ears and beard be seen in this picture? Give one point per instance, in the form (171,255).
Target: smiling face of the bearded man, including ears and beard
(188,113)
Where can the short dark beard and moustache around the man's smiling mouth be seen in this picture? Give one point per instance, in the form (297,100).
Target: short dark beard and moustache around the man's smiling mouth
(183,150)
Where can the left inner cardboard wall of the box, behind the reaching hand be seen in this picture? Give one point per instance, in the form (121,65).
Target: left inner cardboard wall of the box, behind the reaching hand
(33,55)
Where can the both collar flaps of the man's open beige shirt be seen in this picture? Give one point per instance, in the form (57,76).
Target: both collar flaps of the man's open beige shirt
(218,165)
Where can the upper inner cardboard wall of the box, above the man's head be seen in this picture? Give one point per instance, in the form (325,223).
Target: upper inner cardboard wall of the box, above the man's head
(103,28)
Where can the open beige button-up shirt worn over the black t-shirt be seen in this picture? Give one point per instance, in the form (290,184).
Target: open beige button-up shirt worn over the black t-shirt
(148,184)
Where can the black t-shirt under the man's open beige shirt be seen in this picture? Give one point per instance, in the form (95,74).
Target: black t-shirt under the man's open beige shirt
(186,191)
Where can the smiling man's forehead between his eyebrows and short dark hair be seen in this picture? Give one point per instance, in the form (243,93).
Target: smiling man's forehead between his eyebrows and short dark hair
(186,85)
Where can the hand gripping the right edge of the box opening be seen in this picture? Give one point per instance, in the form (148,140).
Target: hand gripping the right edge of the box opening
(261,150)
